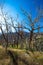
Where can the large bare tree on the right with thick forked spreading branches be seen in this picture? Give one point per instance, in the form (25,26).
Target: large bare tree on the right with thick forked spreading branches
(33,25)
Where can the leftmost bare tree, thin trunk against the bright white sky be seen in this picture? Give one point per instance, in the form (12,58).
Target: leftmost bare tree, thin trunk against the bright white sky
(5,24)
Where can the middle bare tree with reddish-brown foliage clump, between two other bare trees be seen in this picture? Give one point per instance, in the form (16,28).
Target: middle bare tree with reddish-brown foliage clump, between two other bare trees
(18,30)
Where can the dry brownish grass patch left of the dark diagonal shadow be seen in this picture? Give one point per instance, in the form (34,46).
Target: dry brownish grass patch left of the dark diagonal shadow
(4,58)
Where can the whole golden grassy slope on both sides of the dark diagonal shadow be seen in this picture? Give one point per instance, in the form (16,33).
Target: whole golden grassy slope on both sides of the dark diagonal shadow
(25,58)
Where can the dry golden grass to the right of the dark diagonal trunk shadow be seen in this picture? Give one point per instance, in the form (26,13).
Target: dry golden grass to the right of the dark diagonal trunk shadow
(35,58)
